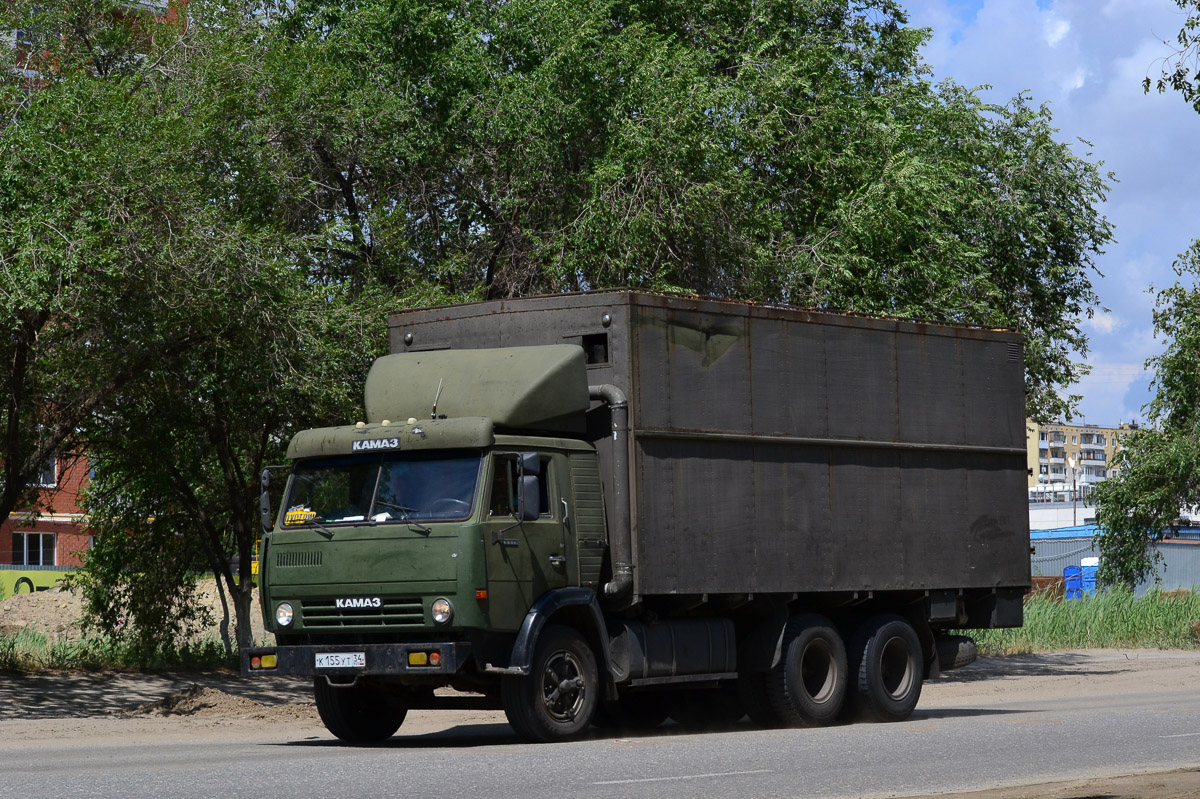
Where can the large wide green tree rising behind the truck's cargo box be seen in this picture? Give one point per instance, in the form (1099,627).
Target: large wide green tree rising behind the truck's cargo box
(776,152)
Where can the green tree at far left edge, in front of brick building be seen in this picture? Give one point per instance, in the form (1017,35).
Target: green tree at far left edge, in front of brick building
(69,266)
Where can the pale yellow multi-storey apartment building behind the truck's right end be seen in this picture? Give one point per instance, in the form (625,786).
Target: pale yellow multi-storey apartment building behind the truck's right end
(1064,455)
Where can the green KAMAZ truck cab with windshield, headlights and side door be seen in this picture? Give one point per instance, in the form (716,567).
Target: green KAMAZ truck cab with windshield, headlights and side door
(409,556)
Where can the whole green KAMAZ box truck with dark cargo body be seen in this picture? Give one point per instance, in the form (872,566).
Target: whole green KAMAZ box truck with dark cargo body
(614,508)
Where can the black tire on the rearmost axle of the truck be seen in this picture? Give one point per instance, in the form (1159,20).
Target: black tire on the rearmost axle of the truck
(889,669)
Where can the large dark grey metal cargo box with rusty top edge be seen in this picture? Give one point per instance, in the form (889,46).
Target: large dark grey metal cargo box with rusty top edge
(787,450)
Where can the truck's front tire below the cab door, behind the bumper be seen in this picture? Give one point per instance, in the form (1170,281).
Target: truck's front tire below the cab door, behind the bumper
(557,700)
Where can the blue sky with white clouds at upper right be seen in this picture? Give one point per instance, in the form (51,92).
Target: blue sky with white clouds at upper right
(1087,59)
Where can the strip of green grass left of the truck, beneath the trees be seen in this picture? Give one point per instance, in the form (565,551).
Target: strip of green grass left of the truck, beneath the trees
(32,652)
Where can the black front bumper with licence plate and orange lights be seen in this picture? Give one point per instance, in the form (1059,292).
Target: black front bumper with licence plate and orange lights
(380,659)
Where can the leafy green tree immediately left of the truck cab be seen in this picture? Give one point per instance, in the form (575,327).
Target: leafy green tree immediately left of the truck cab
(269,352)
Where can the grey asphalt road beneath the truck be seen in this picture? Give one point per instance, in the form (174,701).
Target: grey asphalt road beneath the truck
(962,738)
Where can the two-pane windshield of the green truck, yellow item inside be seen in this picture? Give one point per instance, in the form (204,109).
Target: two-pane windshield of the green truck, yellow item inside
(418,486)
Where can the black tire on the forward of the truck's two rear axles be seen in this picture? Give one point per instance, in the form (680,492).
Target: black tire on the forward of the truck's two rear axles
(808,689)
